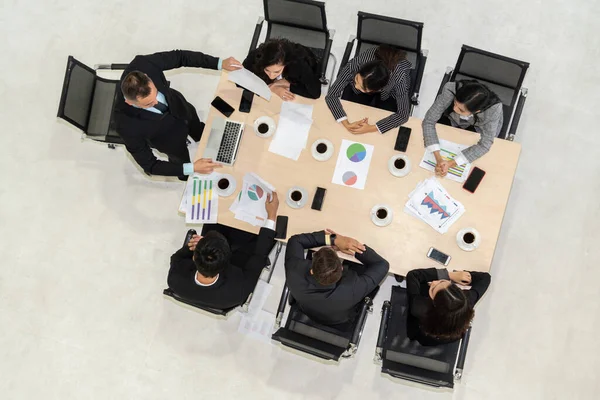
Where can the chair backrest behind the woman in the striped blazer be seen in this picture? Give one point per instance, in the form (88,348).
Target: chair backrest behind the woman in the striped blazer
(374,30)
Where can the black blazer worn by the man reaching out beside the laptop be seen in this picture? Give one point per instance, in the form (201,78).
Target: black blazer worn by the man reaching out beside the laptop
(142,130)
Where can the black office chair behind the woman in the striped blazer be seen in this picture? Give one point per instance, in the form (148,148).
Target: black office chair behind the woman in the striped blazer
(374,30)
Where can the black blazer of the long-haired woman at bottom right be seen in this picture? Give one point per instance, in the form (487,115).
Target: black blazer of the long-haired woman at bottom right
(419,301)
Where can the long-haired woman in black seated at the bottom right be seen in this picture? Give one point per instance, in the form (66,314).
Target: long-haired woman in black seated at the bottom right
(439,311)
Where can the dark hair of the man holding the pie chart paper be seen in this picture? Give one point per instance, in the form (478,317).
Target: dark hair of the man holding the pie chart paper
(212,254)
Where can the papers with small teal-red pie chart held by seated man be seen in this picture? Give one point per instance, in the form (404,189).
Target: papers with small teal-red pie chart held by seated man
(249,204)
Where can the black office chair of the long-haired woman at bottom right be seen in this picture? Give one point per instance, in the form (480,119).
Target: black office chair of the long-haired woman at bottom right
(407,359)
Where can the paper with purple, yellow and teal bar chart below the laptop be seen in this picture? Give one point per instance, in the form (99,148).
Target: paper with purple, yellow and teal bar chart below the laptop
(202,201)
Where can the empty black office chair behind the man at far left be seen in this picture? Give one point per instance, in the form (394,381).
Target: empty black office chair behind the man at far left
(87,101)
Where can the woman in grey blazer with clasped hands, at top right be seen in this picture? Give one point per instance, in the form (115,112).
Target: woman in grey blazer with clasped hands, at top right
(468,105)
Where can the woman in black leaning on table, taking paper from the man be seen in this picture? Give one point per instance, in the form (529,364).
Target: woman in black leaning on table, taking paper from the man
(288,68)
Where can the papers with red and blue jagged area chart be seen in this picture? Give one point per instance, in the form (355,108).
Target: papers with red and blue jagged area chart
(431,203)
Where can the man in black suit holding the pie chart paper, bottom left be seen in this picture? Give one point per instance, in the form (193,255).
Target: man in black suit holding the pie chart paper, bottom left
(220,269)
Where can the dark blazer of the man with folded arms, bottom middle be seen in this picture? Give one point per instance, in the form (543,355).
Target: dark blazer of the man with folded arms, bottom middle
(333,304)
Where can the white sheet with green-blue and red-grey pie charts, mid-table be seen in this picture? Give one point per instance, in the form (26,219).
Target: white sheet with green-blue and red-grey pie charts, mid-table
(353,163)
